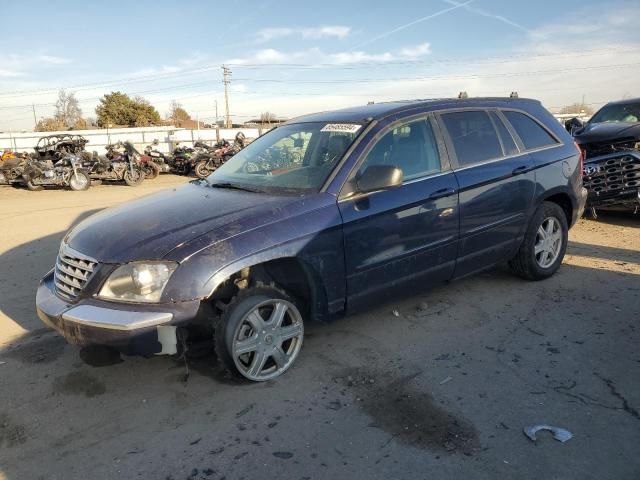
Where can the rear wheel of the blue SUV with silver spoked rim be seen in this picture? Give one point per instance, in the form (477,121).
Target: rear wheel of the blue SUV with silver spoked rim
(544,244)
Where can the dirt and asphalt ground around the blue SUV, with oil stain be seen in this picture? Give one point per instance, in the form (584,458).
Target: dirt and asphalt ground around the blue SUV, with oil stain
(434,386)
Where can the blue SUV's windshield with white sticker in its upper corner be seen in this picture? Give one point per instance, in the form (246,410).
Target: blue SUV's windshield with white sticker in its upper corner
(294,158)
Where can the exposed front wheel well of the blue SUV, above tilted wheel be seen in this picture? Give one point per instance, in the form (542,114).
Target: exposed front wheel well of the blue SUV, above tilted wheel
(290,273)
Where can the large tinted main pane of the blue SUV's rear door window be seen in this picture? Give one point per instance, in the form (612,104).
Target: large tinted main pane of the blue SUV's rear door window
(473,136)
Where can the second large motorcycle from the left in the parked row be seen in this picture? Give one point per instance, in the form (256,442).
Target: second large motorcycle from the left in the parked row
(121,163)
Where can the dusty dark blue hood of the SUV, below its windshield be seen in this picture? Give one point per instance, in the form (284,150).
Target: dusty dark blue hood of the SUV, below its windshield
(151,227)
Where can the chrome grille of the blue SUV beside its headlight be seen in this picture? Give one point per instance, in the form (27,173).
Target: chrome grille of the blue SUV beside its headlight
(72,272)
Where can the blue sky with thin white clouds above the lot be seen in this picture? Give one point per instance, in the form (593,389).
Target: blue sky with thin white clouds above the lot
(291,57)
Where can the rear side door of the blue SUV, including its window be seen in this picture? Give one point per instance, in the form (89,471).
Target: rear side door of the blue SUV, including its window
(497,185)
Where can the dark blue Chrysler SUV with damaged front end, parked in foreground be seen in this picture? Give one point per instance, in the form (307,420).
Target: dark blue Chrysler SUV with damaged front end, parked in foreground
(321,216)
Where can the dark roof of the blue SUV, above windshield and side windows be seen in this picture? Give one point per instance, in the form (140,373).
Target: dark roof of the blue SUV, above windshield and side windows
(376,111)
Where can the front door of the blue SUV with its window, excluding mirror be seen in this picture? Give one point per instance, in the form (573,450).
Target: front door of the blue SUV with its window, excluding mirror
(404,236)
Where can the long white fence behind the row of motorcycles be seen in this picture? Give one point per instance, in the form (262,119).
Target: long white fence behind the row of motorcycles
(168,137)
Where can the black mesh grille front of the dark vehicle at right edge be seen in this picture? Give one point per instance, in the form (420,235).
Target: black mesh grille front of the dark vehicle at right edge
(613,181)
